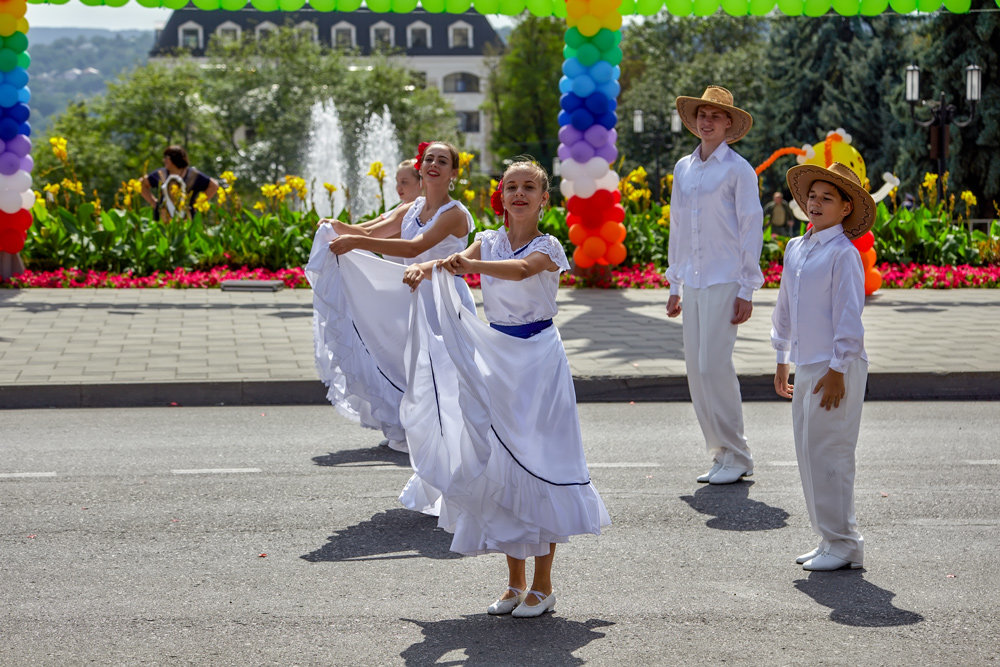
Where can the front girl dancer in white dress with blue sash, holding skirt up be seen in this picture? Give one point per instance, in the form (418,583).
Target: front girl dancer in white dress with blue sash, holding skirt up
(490,409)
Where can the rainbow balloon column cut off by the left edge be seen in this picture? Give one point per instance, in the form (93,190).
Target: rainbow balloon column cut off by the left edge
(16,195)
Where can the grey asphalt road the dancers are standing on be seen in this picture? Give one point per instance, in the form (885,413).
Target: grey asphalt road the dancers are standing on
(243,535)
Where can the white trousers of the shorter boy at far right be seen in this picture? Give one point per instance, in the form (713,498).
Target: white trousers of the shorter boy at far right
(824,446)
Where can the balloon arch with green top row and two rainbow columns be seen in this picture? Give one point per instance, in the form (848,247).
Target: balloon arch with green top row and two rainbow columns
(589,88)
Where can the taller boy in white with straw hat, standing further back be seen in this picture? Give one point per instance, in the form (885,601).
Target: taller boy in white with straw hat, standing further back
(714,253)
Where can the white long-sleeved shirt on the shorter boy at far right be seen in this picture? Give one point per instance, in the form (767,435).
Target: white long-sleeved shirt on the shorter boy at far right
(818,314)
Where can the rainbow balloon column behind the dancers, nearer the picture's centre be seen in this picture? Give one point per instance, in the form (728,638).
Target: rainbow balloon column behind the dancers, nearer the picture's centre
(587,133)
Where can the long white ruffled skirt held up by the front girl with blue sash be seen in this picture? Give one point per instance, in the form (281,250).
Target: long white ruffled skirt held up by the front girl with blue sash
(494,434)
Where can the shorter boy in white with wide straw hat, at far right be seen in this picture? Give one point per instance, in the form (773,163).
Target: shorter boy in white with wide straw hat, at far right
(817,325)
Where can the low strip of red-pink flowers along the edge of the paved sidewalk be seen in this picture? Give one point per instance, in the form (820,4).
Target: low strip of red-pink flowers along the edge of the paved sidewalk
(918,276)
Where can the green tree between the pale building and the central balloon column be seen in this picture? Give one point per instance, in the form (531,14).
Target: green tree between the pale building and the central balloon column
(523,92)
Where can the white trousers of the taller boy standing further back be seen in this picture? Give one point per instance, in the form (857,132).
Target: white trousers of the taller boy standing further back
(709,339)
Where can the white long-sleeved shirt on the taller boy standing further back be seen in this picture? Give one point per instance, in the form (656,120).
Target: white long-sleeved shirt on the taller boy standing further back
(716,223)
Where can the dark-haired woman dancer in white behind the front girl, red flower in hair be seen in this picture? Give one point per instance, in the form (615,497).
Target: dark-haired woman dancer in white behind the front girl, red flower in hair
(360,306)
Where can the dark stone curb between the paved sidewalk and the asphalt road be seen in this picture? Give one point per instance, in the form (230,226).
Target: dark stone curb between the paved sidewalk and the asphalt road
(965,386)
